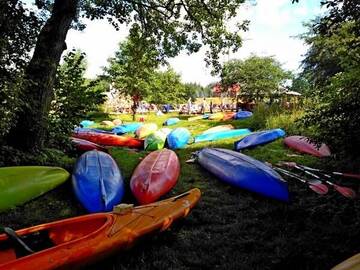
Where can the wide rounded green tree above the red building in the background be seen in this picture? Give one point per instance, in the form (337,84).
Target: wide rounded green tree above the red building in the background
(258,77)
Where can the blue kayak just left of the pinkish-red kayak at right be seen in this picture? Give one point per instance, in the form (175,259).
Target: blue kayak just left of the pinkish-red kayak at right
(259,138)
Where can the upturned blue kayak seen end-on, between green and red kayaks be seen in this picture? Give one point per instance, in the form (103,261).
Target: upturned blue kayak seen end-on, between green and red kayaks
(97,181)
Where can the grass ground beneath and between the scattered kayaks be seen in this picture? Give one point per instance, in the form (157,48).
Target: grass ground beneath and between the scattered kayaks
(230,228)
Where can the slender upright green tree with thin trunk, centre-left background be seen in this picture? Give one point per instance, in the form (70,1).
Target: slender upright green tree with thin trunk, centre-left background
(133,67)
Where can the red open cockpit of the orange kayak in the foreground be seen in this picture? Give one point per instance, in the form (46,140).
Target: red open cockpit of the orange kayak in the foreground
(48,236)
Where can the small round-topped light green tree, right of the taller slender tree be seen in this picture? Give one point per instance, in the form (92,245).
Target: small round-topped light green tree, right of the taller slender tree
(166,88)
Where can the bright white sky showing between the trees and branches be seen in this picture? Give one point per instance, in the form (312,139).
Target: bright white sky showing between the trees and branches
(274,25)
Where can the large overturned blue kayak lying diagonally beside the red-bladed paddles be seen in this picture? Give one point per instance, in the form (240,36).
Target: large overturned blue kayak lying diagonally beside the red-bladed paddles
(244,172)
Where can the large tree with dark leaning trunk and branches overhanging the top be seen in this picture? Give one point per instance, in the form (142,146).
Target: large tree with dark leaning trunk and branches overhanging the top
(174,25)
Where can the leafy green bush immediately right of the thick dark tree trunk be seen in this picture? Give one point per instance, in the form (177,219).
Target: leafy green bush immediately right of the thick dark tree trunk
(74,97)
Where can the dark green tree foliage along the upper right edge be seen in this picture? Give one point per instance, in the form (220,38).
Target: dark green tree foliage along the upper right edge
(332,64)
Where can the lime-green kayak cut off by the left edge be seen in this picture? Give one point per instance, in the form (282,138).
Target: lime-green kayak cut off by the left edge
(20,184)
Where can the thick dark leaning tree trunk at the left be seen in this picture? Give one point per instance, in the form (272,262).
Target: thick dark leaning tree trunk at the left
(37,94)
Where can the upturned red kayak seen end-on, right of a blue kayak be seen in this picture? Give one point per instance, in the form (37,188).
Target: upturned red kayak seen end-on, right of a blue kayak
(155,176)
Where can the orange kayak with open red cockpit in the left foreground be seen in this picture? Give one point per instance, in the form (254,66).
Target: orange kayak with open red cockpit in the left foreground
(79,241)
